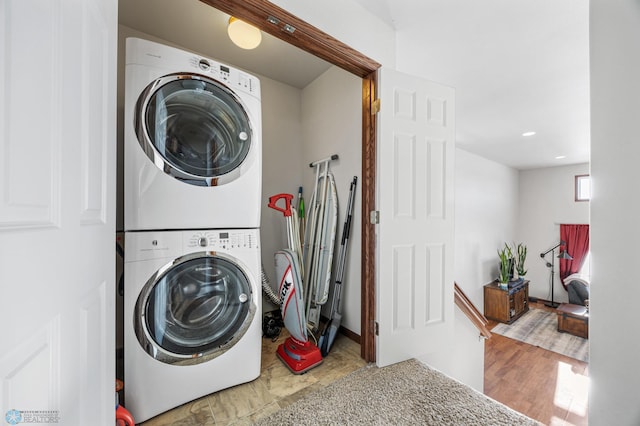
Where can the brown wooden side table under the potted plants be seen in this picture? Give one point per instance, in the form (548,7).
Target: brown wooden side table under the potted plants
(506,305)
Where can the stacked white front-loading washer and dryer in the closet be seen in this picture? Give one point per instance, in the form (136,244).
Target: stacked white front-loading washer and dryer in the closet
(193,154)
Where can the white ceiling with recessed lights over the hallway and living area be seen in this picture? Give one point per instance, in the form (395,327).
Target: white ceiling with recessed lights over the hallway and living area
(517,66)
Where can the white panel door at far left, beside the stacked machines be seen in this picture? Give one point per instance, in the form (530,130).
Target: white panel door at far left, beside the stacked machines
(57,211)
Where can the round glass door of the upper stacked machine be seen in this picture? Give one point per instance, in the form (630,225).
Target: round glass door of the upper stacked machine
(193,128)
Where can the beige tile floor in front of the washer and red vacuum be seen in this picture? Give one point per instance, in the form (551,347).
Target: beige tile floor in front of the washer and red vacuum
(276,388)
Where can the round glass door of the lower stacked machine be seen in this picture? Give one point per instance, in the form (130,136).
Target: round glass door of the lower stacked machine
(194,309)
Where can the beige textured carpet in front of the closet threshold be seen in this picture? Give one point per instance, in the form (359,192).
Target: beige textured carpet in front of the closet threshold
(408,393)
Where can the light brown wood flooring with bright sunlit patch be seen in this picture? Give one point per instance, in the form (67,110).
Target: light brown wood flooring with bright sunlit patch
(541,384)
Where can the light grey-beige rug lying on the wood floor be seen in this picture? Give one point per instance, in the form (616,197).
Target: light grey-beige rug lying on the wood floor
(540,328)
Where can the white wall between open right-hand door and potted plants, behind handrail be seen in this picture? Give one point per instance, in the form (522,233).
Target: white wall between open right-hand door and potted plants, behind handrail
(485,217)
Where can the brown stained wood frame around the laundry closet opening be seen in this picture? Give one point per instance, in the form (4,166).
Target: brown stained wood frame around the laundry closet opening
(312,40)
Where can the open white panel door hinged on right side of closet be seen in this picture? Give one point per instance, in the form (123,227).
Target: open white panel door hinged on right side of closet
(415,236)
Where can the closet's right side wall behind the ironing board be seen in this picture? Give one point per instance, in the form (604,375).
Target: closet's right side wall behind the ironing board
(332,124)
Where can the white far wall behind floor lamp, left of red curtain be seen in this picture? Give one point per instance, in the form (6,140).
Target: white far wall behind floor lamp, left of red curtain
(547,200)
